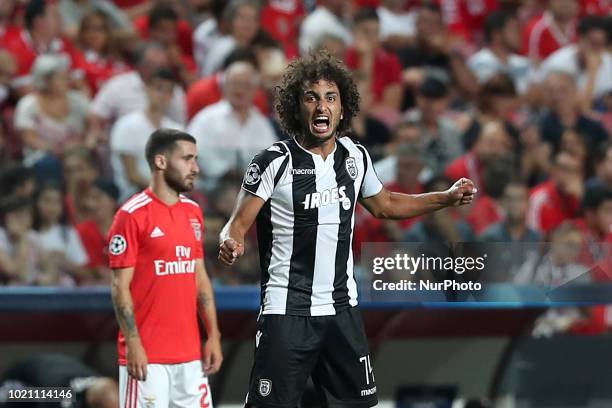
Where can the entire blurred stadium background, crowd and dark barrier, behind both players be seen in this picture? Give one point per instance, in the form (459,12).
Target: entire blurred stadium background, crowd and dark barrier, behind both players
(515,94)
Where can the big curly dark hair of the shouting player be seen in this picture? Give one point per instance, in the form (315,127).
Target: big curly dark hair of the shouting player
(309,69)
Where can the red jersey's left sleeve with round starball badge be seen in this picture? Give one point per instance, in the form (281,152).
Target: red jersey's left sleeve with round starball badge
(123,241)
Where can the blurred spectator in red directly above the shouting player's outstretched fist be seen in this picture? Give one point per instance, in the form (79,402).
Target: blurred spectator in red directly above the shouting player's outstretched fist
(493,143)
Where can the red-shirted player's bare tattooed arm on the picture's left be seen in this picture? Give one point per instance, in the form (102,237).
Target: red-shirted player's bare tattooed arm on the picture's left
(124,311)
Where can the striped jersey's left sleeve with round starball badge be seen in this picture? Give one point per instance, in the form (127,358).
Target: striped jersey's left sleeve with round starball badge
(262,174)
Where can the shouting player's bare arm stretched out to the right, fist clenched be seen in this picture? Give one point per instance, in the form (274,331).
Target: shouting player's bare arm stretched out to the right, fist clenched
(392,205)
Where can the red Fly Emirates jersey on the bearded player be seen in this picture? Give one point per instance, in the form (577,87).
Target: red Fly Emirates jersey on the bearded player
(162,243)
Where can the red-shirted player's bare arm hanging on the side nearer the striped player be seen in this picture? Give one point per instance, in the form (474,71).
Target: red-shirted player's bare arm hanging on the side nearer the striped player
(212,355)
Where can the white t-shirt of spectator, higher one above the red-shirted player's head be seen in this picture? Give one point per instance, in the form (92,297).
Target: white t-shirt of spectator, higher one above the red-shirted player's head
(126,93)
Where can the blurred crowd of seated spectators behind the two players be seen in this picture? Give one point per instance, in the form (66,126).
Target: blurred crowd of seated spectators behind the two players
(514,94)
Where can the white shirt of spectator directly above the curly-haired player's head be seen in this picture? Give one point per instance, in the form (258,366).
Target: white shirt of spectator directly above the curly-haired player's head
(318,24)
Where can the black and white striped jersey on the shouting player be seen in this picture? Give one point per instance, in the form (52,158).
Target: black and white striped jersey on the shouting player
(305,228)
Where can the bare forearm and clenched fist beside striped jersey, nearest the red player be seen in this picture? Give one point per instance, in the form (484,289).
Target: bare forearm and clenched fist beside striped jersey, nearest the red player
(231,239)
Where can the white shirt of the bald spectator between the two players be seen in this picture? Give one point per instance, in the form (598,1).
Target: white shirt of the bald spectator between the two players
(224,143)
